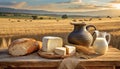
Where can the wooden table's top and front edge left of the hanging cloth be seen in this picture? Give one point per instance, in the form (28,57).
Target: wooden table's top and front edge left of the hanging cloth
(32,60)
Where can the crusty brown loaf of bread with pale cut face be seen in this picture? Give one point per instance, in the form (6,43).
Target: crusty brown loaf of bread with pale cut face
(23,46)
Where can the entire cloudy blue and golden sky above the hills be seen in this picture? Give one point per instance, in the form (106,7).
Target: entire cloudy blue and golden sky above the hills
(62,5)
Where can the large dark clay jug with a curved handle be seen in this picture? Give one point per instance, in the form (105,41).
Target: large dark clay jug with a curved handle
(80,35)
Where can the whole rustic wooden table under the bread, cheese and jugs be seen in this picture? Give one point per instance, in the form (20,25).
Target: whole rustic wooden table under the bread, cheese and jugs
(111,60)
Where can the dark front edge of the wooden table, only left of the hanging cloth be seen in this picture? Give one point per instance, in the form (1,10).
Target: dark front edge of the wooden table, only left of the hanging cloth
(29,64)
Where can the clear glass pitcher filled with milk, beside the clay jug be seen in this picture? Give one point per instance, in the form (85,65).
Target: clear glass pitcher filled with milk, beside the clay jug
(100,44)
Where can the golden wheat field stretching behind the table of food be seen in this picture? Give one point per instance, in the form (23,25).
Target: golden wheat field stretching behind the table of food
(11,29)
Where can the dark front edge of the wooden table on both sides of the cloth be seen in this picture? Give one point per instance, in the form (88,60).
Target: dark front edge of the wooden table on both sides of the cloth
(55,64)
